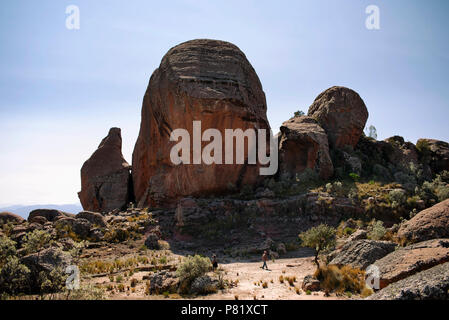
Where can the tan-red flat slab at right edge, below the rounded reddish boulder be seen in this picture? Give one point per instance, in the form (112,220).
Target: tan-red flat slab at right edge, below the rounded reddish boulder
(406,261)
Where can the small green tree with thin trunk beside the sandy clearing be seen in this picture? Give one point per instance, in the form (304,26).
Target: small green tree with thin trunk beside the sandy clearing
(319,238)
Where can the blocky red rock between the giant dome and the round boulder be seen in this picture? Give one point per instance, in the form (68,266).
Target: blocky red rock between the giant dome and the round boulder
(303,144)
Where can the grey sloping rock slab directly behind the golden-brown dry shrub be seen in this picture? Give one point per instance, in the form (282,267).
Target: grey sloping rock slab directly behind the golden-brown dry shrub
(361,253)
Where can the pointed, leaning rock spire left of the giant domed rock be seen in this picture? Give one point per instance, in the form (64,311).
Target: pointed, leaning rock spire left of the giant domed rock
(105,176)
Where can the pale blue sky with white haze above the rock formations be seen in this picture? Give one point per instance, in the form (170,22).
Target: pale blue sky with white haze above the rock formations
(61,90)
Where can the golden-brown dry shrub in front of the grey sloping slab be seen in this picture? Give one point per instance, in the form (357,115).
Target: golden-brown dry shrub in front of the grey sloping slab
(344,279)
